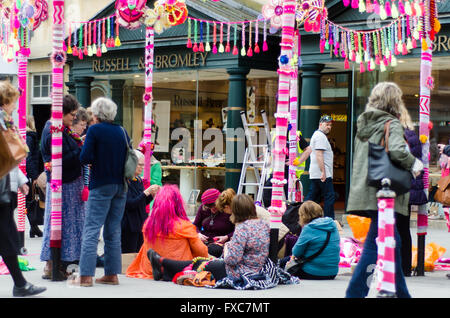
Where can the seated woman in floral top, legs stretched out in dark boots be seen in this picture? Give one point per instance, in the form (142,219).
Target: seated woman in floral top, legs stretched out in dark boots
(246,252)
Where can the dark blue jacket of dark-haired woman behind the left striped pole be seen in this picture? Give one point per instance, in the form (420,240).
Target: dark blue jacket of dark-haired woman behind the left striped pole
(71,166)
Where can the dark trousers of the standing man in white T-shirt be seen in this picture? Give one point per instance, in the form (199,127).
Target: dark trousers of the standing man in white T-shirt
(318,189)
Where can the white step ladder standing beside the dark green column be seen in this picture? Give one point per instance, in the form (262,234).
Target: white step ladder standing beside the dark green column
(260,167)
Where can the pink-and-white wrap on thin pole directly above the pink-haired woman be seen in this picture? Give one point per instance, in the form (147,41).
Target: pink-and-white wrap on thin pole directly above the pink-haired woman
(148,99)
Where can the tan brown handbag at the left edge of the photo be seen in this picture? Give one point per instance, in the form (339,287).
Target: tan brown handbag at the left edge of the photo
(12,150)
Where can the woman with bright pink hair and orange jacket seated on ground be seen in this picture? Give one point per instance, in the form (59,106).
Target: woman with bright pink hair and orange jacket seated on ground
(169,232)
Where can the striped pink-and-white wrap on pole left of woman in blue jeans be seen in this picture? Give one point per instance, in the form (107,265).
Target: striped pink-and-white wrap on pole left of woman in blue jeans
(58,59)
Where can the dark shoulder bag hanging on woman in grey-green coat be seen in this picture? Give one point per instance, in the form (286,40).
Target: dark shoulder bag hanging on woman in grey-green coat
(381,166)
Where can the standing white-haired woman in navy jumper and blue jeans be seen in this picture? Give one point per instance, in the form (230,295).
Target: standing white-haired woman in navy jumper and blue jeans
(105,150)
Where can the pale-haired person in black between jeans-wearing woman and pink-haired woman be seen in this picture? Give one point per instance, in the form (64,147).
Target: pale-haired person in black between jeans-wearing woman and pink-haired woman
(135,209)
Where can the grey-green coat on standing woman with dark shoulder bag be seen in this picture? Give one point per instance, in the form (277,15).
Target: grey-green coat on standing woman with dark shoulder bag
(370,127)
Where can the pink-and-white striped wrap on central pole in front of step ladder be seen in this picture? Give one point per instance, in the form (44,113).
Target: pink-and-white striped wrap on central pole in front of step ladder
(282,115)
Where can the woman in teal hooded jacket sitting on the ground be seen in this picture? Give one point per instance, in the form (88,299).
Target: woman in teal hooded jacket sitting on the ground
(312,237)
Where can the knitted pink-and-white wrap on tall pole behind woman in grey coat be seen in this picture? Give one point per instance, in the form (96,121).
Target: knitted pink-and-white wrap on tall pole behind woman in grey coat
(426,83)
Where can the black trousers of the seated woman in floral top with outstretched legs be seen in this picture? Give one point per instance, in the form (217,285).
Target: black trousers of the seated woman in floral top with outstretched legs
(172,267)
